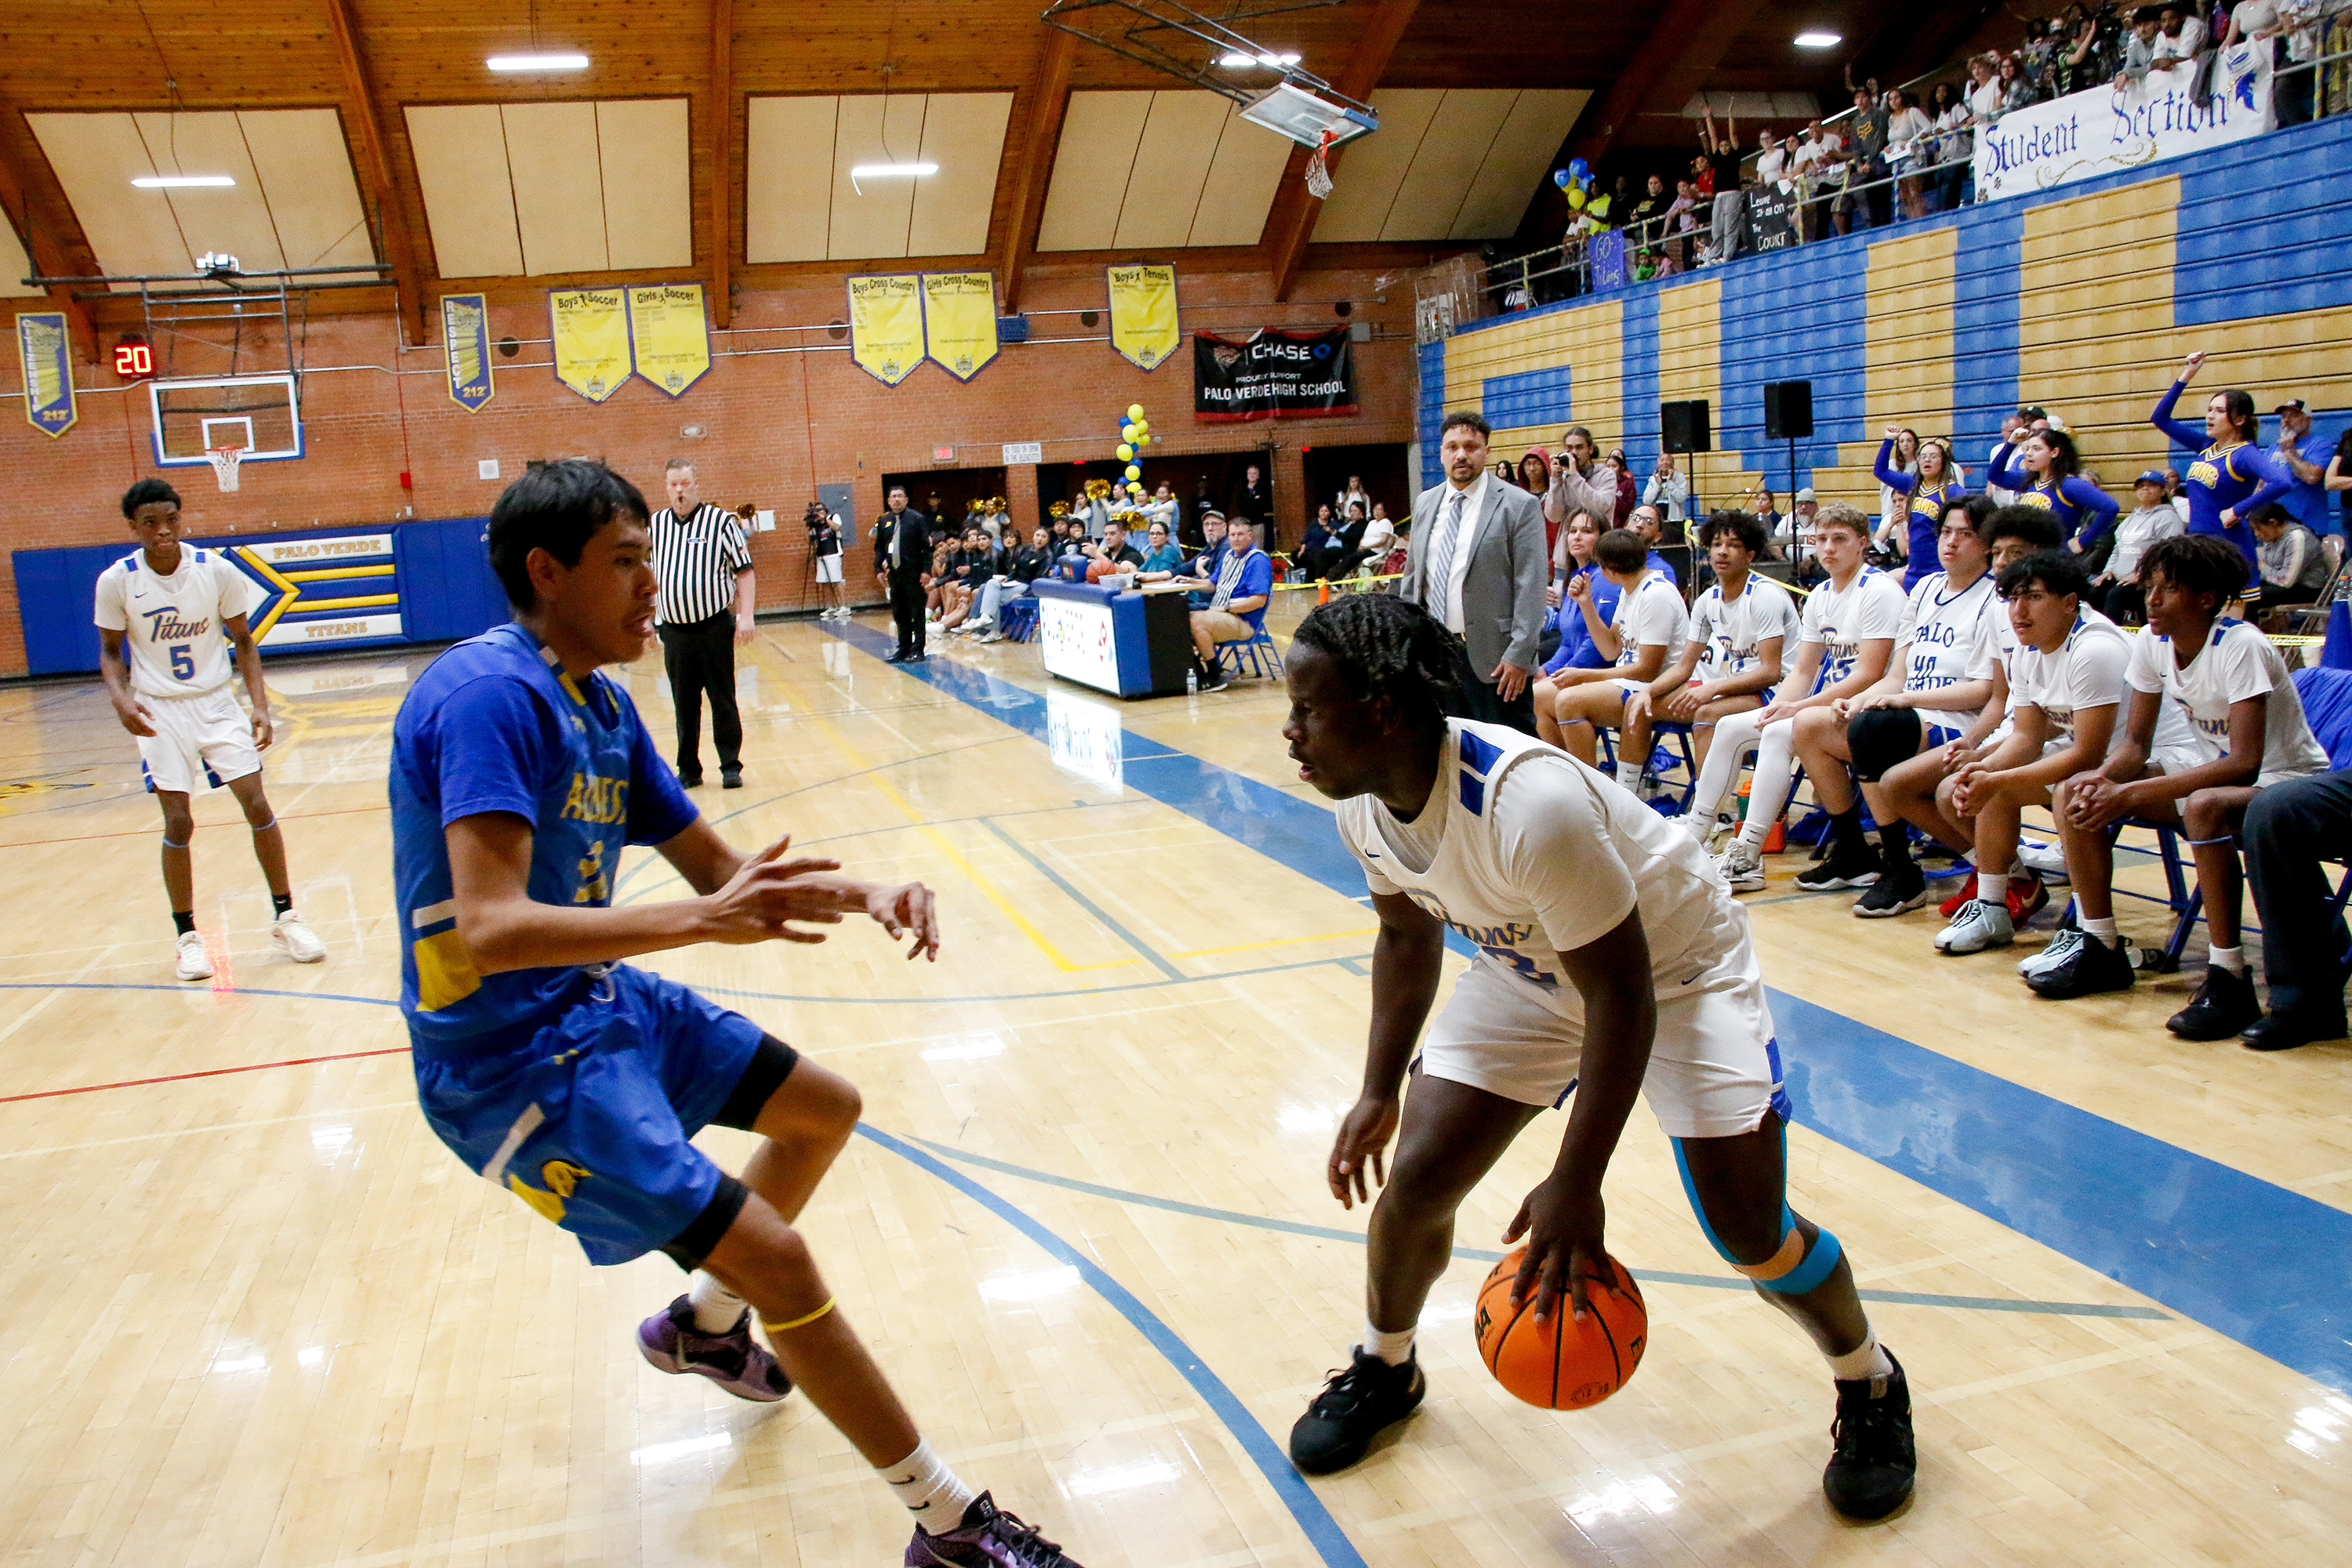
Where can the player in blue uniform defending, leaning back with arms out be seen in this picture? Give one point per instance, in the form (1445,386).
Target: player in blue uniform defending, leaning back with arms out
(575,1080)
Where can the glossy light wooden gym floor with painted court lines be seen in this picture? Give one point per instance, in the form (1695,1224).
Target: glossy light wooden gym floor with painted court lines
(258,1315)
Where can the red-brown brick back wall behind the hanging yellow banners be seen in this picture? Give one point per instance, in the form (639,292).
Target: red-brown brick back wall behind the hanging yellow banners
(775,424)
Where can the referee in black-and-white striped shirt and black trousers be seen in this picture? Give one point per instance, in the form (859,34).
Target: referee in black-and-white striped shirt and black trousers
(702,610)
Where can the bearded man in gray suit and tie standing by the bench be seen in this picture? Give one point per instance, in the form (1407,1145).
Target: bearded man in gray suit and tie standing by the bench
(1476,563)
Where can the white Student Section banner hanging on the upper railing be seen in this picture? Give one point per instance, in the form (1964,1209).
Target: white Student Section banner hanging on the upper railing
(2123,128)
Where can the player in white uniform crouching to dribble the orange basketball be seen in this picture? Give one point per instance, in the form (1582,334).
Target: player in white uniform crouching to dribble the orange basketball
(1612,963)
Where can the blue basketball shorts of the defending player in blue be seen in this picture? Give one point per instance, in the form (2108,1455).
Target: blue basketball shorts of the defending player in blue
(589,1120)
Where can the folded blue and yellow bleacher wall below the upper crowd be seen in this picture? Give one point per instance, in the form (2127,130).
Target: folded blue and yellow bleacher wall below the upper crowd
(2080,300)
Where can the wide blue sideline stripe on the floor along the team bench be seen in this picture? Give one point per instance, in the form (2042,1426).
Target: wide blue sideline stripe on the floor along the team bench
(2243,1257)
